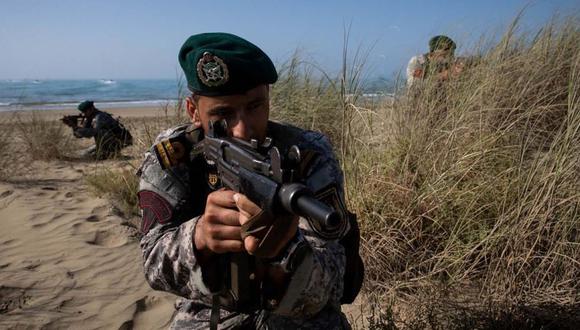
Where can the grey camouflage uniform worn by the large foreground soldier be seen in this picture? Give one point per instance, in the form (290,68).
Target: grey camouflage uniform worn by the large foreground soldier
(172,201)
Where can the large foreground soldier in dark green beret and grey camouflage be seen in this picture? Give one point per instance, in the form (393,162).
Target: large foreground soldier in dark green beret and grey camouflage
(190,225)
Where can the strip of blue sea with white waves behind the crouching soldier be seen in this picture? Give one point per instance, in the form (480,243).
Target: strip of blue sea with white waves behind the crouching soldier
(29,94)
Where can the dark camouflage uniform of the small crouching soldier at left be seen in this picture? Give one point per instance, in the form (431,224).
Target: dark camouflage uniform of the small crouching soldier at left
(108,133)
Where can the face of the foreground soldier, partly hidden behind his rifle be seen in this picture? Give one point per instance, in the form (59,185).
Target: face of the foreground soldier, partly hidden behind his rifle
(246,114)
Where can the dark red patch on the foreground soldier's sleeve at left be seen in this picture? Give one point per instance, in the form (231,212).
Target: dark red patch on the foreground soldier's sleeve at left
(155,209)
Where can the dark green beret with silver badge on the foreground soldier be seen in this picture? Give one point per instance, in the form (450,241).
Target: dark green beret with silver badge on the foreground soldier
(224,64)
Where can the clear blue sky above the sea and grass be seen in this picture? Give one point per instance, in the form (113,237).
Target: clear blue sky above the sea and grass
(130,39)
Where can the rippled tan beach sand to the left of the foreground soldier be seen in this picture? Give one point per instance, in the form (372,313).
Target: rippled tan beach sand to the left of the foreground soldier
(68,259)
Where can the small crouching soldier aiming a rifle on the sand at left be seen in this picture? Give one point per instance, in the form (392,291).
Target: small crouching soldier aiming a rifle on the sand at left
(109,134)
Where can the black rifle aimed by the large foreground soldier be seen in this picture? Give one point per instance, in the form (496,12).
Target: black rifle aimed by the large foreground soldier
(269,180)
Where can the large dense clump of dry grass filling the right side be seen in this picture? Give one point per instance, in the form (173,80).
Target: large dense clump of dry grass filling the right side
(476,181)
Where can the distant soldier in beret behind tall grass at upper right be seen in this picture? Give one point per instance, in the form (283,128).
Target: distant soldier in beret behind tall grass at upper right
(438,64)
